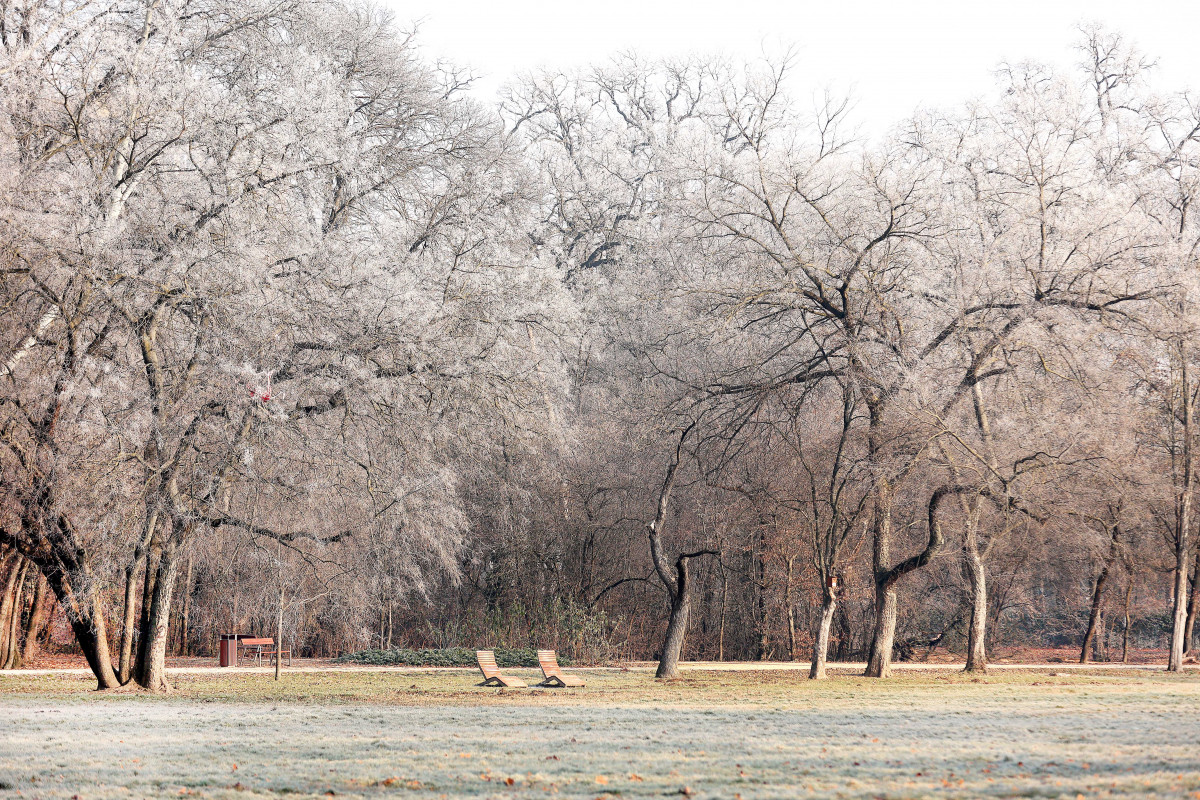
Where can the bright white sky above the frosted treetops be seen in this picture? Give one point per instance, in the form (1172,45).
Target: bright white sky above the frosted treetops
(893,56)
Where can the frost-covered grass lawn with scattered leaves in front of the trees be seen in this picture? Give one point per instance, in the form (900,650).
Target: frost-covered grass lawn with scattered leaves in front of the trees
(755,735)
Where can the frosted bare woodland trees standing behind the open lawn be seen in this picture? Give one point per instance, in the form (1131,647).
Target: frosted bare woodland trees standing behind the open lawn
(653,360)
